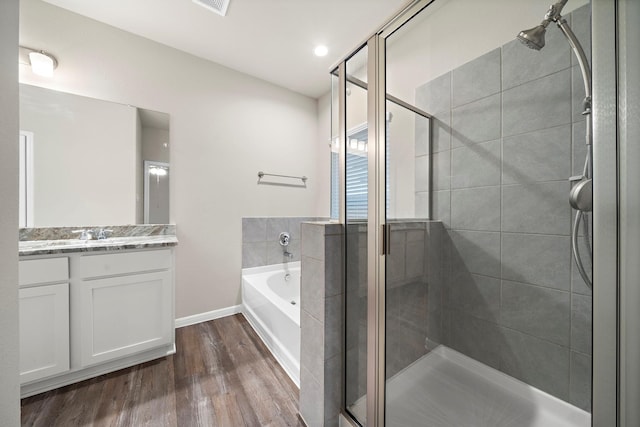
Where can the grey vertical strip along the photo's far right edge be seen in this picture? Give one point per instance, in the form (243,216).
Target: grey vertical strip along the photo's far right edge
(628,15)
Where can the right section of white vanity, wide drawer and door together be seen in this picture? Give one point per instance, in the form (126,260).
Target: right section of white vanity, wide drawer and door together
(122,304)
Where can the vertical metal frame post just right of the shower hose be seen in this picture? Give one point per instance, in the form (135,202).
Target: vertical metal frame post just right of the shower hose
(605,379)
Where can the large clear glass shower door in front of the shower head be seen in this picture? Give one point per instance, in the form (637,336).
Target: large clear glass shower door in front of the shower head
(487,320)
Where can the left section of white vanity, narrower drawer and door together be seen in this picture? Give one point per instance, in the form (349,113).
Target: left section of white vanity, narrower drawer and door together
(44,318)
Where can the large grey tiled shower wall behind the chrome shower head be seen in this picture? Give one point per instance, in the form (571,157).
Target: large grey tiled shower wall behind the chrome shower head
(508,134)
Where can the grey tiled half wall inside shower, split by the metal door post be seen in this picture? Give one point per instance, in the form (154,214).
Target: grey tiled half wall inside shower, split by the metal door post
(414,287)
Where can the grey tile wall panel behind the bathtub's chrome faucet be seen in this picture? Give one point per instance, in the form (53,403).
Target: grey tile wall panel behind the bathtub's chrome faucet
(260,245)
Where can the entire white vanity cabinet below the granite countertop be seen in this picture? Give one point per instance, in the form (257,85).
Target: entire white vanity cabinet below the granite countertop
(92,312)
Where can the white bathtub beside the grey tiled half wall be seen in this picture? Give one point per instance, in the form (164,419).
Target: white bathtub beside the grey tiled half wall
(271,304)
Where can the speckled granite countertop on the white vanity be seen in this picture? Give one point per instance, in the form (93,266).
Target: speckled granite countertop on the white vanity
(57,241)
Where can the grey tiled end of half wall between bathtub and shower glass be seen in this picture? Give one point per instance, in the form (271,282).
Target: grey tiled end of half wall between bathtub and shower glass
(321,322)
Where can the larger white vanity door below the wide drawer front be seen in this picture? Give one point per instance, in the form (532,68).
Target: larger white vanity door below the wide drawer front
(120,316)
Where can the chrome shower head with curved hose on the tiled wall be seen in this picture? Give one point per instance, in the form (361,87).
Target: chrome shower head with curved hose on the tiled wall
(581,194)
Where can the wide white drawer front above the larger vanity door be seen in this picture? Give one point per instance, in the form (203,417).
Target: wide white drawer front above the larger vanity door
(93,266)
